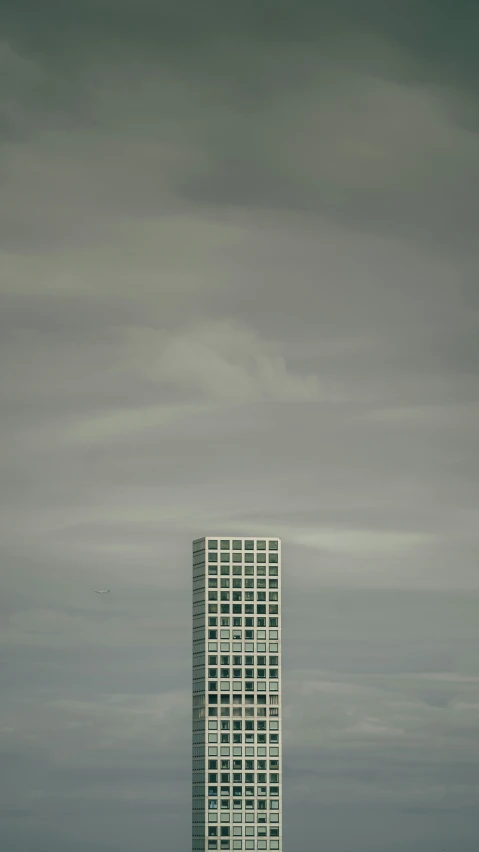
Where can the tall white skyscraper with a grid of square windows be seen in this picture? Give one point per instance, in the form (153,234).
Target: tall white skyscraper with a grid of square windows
(237,789)
